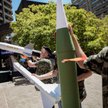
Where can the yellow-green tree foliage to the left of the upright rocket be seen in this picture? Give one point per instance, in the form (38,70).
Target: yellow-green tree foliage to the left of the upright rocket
(35,24)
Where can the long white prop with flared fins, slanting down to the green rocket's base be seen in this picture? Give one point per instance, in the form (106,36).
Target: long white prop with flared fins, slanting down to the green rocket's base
(50,92)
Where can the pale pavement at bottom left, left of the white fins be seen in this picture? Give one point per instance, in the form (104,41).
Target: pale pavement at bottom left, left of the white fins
(19,96)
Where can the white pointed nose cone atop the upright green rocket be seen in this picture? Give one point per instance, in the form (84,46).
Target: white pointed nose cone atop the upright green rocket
(61,21)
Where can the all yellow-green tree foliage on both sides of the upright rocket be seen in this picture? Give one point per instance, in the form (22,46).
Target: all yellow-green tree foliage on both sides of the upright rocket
(37,24)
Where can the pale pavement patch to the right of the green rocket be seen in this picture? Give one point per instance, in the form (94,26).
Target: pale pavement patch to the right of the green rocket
(94,92)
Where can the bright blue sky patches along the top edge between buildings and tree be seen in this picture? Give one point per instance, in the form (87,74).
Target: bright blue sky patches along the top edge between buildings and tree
(15,4)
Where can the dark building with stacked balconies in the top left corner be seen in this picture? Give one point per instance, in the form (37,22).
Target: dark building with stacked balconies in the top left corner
(5,11)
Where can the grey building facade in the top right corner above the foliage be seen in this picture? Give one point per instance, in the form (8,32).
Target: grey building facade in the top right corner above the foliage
(98,7)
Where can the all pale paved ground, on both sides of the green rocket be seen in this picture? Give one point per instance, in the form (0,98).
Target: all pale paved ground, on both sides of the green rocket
(24,95)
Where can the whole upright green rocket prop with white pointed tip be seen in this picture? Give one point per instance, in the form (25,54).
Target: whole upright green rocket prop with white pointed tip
(67,71)
